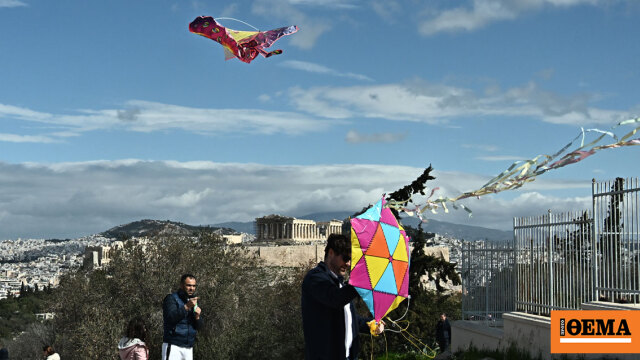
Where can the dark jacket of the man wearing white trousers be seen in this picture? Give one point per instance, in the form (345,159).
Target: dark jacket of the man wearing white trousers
(180,325)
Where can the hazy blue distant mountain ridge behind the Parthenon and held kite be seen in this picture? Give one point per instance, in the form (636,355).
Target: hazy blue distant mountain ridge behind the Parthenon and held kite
(457,231)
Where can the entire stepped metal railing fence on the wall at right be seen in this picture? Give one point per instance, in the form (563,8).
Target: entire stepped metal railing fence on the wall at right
(559,261)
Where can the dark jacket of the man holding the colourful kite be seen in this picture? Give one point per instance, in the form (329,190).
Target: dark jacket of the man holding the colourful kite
(323,304)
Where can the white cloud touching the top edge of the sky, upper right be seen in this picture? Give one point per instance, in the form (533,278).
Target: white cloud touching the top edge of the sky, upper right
(484,12)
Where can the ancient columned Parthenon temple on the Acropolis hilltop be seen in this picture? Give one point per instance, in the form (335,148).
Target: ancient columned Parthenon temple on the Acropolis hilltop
(277,228)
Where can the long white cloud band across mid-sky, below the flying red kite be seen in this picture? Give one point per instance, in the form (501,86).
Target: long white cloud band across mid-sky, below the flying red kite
(316,109)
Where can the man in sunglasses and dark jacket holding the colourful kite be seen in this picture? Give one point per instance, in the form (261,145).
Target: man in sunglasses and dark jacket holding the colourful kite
(329,319)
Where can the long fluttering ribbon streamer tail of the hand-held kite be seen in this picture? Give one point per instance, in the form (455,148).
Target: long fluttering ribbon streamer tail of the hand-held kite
(522,172)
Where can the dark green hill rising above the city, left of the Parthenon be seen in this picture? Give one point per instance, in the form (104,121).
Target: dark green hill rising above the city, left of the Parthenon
(152,227)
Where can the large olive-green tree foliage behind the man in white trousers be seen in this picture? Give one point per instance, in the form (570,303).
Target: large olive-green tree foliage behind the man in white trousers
(250,311)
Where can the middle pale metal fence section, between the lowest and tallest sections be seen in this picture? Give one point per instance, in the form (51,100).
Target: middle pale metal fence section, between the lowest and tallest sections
(553,261)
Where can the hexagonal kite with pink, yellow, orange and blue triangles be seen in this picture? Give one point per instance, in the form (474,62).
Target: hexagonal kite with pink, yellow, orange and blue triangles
(379,259)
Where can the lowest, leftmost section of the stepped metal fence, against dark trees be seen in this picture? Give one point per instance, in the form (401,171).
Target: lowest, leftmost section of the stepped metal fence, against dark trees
(487,281)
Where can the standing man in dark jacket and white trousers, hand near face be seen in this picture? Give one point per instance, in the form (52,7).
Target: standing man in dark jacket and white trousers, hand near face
(181,318)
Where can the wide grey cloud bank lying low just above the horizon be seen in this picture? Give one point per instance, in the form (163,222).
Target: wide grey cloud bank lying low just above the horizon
(75,199)
